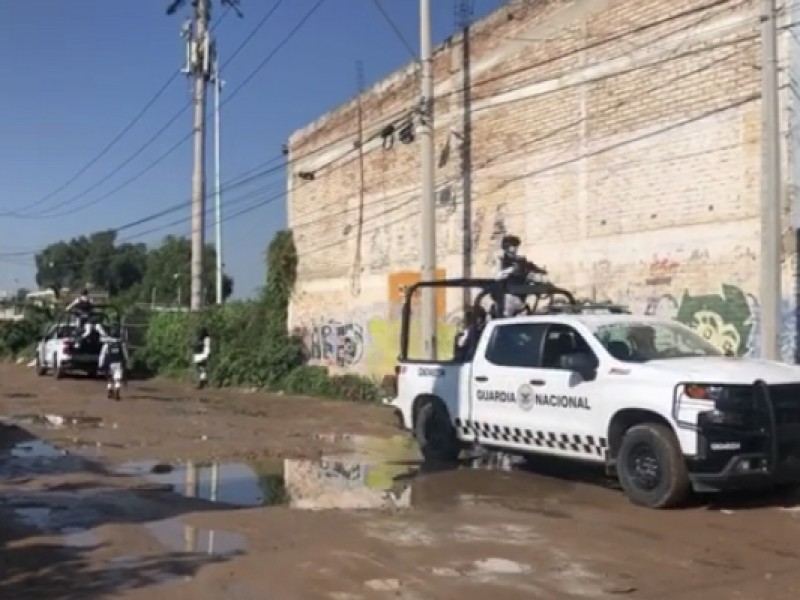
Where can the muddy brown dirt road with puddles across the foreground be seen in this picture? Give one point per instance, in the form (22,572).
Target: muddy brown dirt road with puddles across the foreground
(231,495)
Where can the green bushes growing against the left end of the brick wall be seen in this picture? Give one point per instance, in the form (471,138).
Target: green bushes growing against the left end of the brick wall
(252,346)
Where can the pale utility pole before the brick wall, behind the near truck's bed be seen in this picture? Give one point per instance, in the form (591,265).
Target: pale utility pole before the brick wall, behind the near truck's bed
(428,209)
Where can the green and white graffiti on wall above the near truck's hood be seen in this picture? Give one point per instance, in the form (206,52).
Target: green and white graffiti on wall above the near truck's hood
(729,319)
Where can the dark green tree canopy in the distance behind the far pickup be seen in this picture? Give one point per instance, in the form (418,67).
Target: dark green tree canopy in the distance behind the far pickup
(135,271)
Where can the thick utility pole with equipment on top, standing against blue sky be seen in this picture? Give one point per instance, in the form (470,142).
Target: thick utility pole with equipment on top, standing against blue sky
(198,68)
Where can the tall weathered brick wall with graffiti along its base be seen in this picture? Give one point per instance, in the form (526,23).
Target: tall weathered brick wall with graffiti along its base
(619,138)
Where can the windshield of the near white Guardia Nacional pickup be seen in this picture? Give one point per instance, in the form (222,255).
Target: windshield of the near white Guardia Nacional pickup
(632,341)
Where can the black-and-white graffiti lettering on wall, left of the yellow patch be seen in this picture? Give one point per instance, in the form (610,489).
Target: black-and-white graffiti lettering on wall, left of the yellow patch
(335,343)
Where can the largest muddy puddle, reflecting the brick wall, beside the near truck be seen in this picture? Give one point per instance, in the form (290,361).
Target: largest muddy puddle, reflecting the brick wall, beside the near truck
(375,473)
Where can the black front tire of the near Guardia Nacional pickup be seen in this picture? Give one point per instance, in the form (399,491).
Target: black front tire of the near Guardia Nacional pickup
(651,467)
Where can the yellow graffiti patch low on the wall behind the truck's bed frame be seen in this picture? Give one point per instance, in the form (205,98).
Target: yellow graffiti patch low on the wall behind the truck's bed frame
(384,344)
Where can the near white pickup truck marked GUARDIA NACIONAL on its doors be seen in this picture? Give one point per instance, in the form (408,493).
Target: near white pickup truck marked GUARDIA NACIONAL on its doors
(662,409)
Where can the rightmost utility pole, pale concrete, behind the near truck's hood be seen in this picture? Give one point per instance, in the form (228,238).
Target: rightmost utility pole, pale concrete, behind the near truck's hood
(771,204)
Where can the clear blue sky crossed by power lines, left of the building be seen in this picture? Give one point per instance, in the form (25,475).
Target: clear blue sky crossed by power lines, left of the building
(75,72)
